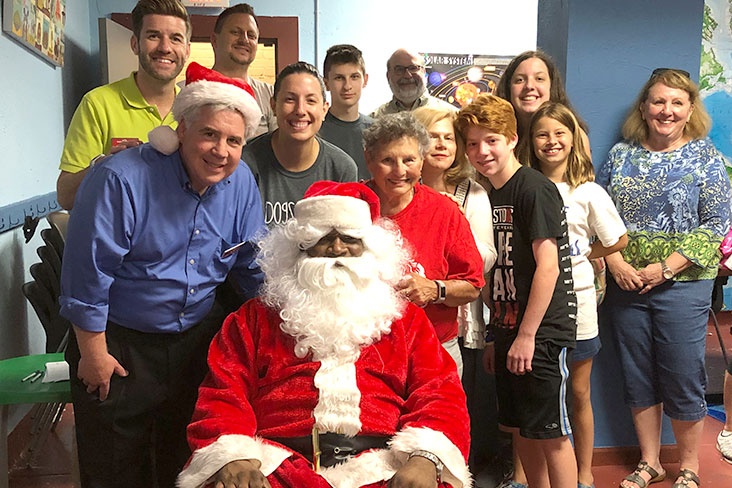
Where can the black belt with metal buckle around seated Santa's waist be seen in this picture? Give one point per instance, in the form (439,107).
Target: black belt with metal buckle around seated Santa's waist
(331,449)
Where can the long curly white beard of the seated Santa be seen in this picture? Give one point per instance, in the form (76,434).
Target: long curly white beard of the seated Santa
(328,305)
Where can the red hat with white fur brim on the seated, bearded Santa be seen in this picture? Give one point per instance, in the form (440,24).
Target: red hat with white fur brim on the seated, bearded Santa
(332,205)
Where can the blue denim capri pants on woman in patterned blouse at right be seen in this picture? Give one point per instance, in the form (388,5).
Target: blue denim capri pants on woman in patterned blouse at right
(661,340)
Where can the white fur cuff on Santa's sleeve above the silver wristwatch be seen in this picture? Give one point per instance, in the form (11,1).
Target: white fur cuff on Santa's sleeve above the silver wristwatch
(412,439)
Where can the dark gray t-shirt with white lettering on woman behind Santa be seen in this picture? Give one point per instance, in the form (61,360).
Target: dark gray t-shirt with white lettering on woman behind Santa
(280,188)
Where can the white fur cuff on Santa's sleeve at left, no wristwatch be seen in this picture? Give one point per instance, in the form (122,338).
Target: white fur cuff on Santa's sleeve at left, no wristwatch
(207,461)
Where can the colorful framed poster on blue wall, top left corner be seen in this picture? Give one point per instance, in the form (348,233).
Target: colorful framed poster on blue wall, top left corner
(38,25)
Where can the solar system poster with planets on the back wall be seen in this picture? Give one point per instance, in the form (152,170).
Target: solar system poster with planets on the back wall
(458,78)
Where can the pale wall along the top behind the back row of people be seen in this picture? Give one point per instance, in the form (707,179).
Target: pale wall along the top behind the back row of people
(379,27)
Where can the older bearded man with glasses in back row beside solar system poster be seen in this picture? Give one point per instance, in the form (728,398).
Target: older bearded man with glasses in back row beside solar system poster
(405,72)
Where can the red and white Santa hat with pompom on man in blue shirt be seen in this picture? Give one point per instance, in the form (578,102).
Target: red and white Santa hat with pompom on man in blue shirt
(205,87)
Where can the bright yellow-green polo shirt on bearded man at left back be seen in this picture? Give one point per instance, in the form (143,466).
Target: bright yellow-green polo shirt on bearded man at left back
(108,112)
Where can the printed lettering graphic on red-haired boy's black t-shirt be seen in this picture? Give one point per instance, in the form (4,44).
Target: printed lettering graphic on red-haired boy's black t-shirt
(504,306)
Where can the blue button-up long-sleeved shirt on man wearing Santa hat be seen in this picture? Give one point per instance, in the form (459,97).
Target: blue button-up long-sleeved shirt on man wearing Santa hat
(145,251)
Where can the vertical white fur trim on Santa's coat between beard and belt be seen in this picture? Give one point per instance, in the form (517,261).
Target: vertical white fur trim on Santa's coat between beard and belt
(339,397)
